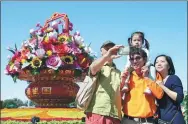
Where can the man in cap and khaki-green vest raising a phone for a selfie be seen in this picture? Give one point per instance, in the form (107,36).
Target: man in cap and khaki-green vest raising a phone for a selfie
(105,106)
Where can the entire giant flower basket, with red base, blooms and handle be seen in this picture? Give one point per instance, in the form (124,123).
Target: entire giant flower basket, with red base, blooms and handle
(51,60)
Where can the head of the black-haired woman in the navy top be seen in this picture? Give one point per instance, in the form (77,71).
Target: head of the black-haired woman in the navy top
(164,65)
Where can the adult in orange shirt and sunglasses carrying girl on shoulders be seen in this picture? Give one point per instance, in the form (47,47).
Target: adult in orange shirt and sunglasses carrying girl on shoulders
(139,107)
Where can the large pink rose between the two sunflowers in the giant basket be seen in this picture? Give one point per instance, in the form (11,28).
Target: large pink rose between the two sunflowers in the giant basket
(53,62)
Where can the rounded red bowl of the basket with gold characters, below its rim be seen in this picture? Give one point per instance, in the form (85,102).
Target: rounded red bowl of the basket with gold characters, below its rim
(52,94)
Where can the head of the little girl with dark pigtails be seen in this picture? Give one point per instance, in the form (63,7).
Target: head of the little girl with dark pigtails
(138,40)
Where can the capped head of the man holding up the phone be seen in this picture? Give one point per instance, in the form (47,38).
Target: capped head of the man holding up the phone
(106,46)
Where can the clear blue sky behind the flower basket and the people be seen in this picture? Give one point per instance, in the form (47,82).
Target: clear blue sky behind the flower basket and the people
(164,25)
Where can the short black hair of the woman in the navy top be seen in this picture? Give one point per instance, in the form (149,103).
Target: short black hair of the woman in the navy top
(171,70)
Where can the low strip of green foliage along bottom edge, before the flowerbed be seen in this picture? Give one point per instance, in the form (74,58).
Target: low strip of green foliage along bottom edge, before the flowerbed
(43,122)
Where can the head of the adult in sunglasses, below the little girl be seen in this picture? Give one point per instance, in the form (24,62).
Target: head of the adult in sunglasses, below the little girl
(138,58)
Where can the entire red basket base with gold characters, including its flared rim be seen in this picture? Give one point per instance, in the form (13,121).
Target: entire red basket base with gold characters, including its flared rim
(50,91)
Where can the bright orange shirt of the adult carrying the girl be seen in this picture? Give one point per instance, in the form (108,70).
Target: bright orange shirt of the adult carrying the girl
(137,104)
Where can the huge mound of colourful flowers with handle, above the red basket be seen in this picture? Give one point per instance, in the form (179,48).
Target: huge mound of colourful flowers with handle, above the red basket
(51,47)
